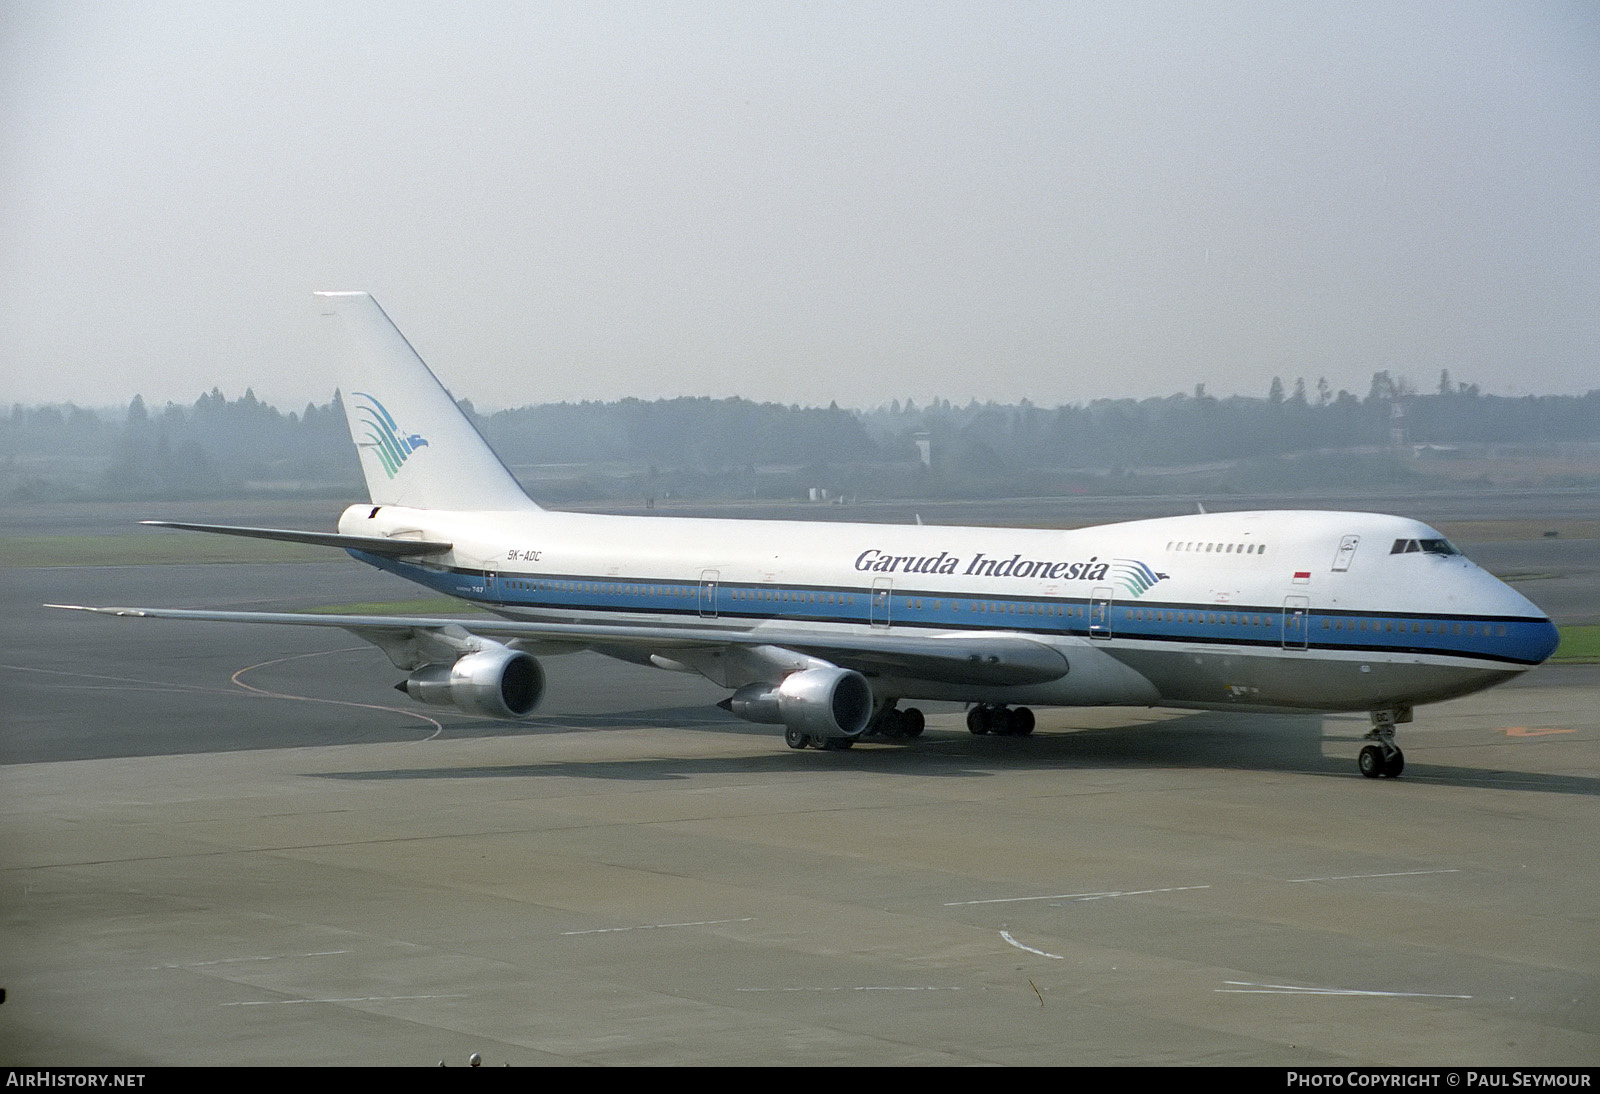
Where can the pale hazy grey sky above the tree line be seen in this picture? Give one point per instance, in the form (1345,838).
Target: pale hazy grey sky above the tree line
(801,202)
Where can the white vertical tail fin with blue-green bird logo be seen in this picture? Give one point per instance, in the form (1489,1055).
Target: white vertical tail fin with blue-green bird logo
(415,444)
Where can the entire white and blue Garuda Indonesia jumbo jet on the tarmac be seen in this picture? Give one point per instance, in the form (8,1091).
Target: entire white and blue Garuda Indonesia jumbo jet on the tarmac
(826,629)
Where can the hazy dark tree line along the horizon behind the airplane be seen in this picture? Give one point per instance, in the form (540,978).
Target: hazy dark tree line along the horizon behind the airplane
(737,449)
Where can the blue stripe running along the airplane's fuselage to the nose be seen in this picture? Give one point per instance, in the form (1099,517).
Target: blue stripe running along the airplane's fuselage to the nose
(1524,641)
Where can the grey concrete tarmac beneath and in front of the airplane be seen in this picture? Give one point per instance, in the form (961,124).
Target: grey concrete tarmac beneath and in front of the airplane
(233,845)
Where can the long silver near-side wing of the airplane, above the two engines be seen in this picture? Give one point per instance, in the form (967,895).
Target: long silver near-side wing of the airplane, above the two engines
(990,660)
